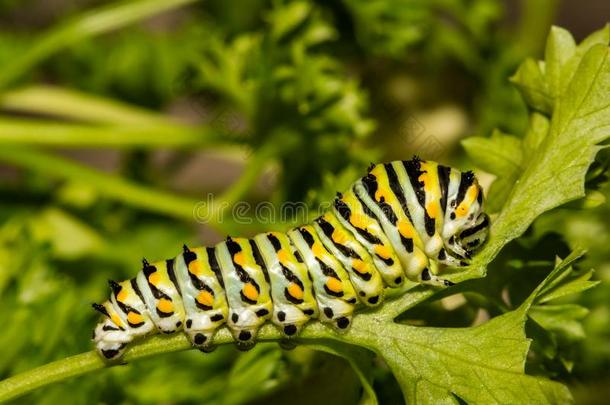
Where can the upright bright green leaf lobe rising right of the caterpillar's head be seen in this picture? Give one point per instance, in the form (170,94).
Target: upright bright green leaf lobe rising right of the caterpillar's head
(557,163)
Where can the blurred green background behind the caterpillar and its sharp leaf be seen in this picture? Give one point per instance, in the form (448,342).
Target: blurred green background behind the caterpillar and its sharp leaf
(117,119)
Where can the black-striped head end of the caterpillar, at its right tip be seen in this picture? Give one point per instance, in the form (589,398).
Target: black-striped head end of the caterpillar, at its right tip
(466,225)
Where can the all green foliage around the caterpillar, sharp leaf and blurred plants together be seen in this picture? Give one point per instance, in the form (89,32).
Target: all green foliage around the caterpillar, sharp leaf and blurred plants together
(314,89)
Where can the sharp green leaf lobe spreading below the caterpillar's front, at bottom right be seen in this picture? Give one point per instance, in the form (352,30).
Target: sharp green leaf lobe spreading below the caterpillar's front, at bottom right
(480,365)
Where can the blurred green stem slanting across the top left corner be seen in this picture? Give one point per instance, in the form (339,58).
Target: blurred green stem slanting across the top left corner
(98,21)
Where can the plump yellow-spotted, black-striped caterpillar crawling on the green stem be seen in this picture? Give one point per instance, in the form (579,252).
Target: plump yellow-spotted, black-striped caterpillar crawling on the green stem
(397,222)
